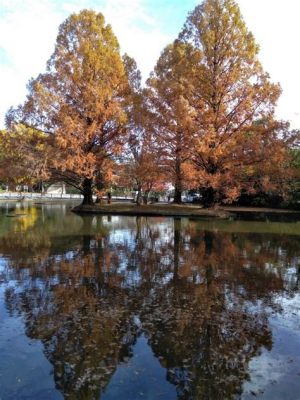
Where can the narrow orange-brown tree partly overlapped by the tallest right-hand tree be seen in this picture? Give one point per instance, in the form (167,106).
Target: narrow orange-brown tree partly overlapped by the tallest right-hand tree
(171,113)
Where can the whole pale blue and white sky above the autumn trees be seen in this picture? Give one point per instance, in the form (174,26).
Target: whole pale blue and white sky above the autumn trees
(28,30)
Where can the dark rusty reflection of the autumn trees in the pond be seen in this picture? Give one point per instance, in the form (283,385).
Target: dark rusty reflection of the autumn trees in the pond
(202,299)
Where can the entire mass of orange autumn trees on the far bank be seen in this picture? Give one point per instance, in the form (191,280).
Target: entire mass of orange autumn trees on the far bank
(204,121)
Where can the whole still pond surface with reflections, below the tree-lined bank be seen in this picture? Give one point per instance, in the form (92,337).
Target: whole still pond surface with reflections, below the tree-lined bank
(101,307)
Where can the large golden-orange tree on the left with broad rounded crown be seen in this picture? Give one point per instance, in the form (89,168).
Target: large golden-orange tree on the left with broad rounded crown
(79,101)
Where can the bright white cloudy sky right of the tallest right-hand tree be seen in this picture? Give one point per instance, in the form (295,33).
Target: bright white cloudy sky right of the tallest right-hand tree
(275,26)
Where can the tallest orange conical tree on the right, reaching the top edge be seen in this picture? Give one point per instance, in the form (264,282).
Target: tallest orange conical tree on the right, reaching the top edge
(233,101)
